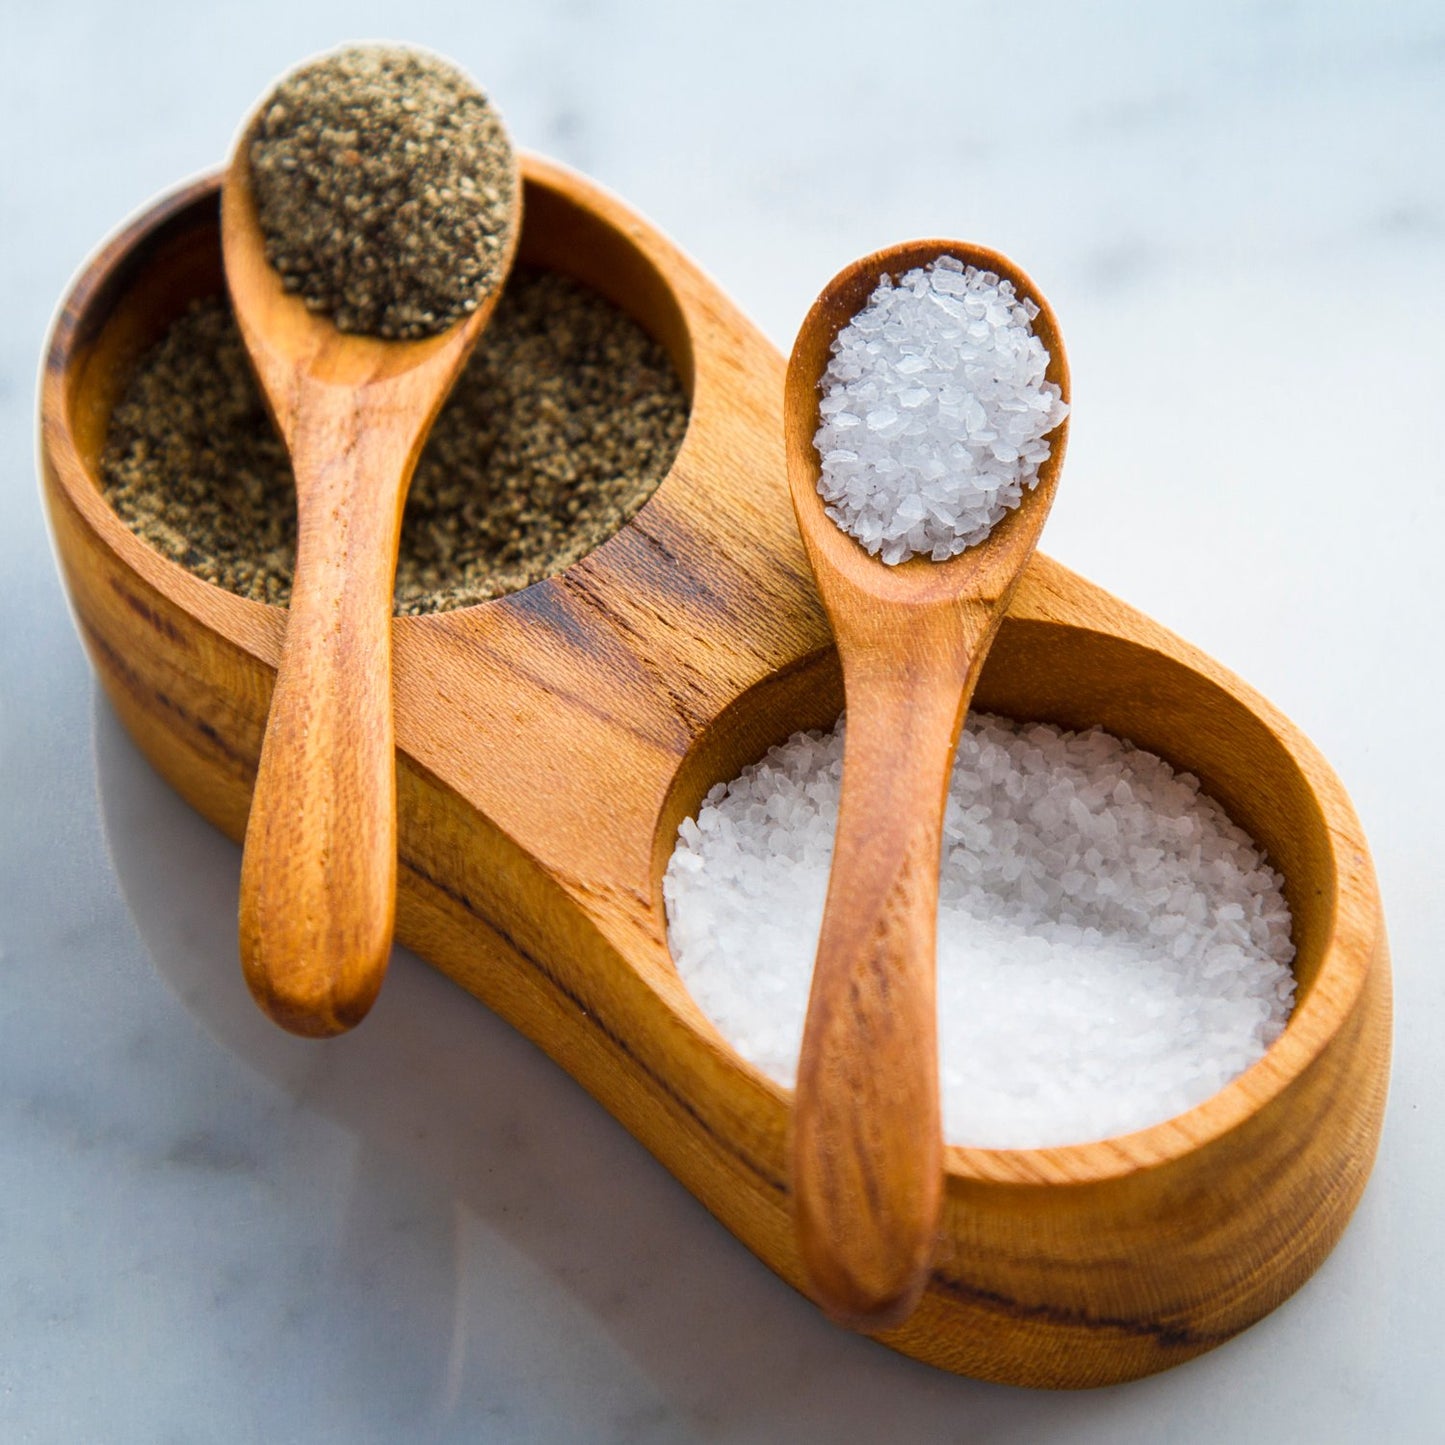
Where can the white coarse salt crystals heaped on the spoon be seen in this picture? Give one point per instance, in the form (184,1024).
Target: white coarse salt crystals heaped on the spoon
(934,413)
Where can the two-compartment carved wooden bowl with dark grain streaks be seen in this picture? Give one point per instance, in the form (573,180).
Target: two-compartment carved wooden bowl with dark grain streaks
(551,742)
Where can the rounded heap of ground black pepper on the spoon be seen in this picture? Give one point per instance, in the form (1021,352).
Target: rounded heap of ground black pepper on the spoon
(385,186)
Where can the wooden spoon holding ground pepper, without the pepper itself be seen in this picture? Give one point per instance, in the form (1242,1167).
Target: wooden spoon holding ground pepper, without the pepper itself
(319,876)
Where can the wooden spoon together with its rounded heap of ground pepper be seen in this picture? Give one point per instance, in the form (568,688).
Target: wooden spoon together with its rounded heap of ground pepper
(369,217)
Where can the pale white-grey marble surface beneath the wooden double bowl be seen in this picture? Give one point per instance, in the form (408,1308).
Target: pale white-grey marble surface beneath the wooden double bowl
(212,1232)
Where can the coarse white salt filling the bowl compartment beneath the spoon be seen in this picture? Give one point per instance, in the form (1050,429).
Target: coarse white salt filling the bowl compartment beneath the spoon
(1112,950)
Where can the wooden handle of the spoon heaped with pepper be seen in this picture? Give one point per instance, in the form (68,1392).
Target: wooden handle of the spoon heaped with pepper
(319,875)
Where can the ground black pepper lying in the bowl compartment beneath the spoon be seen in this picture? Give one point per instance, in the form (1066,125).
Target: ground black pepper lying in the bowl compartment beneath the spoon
(564,423)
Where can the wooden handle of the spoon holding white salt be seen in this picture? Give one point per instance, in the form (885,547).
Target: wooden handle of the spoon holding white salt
(868,1152)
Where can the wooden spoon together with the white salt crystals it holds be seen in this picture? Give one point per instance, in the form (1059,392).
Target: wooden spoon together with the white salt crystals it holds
(926,411)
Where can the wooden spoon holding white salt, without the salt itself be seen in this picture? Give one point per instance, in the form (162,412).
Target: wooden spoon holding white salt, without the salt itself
(913,639)
